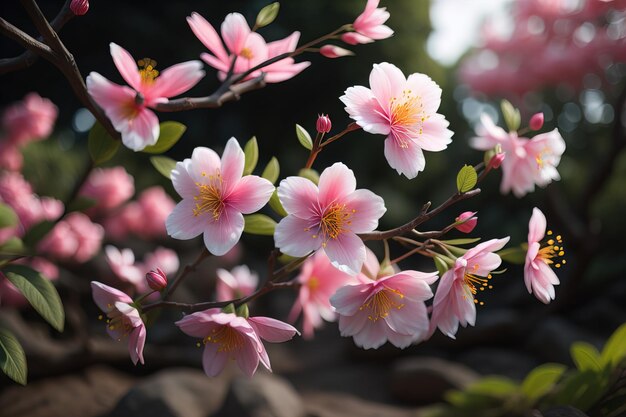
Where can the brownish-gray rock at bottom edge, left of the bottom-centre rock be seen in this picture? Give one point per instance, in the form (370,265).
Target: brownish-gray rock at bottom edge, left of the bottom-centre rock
(174,393)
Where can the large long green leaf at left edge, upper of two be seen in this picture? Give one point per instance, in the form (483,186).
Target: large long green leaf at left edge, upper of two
(39,292)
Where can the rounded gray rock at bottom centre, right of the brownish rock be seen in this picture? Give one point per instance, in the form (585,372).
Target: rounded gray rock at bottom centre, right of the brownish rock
(264,395)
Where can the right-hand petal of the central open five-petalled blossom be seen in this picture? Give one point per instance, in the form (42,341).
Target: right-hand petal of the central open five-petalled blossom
(366,209)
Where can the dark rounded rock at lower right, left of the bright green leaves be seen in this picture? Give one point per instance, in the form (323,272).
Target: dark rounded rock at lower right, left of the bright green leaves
(424,380)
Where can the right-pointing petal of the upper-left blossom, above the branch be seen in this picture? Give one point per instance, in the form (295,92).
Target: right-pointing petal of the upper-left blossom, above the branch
(177,79)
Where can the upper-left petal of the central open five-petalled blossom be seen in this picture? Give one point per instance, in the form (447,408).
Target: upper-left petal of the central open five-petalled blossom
(299,196)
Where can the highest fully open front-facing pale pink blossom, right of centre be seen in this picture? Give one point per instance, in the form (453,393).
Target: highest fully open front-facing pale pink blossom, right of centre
(404,109)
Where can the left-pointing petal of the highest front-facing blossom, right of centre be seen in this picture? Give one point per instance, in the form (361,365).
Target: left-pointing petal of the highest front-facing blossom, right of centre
(364,109)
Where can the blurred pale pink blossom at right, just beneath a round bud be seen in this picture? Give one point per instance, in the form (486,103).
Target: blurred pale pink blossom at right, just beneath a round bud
(528,162)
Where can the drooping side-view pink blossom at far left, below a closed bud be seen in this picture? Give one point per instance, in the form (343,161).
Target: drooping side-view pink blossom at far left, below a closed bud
(124,320)
